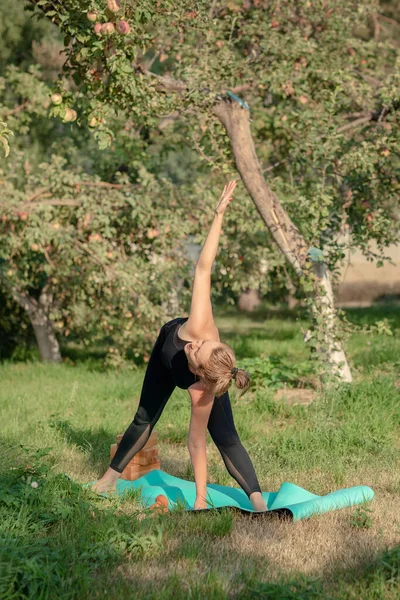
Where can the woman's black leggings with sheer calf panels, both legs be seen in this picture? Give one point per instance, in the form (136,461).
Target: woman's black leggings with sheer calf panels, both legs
(157,387)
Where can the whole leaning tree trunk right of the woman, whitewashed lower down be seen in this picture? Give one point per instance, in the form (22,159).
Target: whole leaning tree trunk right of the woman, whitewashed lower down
(288,238)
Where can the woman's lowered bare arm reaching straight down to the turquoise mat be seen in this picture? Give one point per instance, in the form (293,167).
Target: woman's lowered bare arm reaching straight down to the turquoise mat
(202,403)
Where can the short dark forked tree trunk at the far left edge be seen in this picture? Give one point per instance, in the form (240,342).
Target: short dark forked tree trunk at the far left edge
(43,327)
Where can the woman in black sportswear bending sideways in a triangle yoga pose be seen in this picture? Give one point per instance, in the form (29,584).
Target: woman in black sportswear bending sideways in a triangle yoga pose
(188,354)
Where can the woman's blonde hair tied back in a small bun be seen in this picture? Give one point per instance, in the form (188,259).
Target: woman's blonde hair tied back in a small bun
(219,371)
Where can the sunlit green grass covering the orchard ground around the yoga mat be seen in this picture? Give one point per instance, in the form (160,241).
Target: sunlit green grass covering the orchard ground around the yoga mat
(59,540)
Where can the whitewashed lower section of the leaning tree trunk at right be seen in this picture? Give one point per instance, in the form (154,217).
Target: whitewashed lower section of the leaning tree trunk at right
(324,314)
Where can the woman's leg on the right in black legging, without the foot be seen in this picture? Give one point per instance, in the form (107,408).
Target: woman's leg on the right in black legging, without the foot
(223,432)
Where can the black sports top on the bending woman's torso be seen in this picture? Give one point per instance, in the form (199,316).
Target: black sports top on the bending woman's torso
(174,357)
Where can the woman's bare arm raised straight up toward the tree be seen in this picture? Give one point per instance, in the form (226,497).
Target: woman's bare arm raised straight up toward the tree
(201,320)
